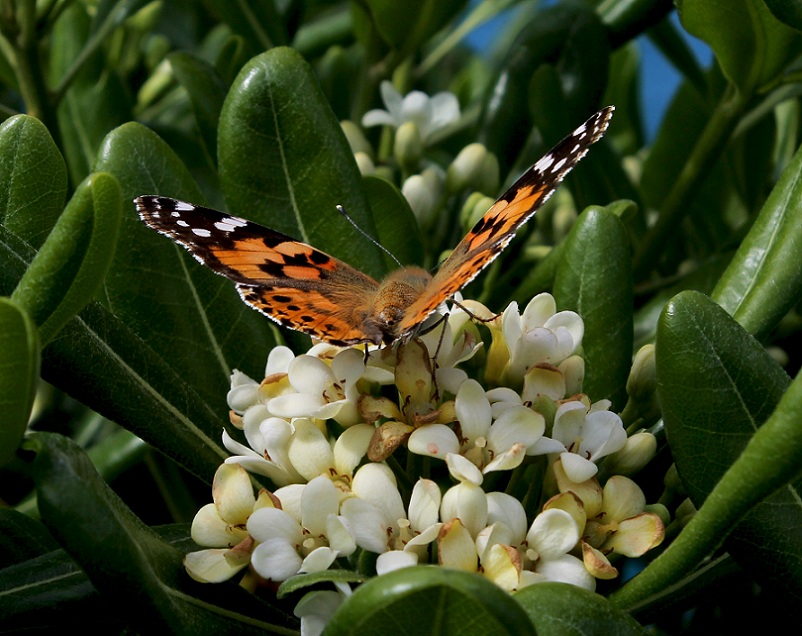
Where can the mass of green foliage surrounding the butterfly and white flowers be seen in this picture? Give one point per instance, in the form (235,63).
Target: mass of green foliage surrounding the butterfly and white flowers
(239,105)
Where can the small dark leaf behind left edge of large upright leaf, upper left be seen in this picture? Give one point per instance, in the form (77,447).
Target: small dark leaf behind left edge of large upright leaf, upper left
(207,91)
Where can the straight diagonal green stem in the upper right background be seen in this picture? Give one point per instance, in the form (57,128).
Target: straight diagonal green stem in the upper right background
(708,148)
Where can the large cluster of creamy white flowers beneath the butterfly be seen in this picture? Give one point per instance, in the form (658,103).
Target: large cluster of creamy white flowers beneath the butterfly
(326,427)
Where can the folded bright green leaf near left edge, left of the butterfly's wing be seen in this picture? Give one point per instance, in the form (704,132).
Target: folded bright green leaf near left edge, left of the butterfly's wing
(74,259)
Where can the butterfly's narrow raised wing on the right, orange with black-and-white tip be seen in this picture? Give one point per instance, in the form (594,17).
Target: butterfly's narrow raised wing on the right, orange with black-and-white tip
(497,227)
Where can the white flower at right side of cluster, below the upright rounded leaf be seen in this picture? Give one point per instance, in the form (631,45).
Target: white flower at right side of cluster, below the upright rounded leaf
(588,434)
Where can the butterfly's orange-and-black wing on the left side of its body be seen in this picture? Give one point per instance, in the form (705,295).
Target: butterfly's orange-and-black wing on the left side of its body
(293,283)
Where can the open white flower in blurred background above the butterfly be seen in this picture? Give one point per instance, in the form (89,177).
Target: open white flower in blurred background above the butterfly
(429,114)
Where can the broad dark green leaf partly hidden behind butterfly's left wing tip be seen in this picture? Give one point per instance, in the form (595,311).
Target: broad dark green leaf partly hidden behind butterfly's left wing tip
(190,316)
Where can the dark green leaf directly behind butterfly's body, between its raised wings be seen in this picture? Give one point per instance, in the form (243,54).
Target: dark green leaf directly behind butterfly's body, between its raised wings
(396,226)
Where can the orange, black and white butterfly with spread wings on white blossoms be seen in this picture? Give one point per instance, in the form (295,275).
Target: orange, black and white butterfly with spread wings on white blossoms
(305,289)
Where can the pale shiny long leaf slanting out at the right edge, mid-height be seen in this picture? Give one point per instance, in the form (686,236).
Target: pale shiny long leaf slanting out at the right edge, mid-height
(764,279)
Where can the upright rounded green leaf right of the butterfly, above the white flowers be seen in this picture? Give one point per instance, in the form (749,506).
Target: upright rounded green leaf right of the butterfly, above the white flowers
(594,279)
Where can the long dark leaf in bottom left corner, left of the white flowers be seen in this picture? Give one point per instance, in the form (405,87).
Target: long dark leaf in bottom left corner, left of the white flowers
(133,569)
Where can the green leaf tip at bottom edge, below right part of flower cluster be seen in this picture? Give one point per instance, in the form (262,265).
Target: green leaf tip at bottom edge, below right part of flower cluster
(560,609)
